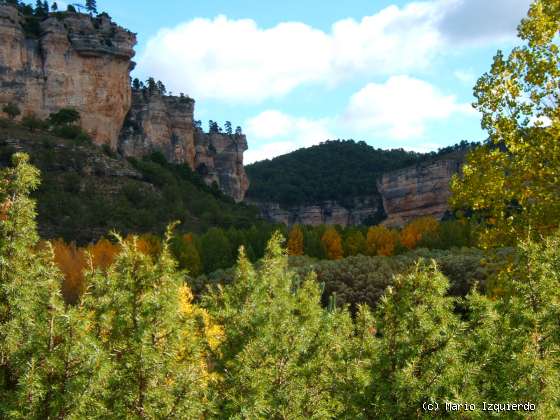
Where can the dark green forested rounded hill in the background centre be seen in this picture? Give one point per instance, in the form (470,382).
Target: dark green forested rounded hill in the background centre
(336,170)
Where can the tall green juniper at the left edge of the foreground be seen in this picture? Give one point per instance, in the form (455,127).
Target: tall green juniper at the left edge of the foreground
(44,363)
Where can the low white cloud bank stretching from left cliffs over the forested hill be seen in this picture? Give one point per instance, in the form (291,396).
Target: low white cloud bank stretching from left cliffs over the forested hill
(397,110)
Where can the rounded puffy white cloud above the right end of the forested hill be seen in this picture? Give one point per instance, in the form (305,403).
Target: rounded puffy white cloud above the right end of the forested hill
(400,108)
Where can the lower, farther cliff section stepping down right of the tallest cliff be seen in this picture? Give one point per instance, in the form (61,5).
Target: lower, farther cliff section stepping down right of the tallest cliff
(165,123)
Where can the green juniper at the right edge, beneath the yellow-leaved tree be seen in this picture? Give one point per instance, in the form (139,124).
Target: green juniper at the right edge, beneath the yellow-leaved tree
(514,341)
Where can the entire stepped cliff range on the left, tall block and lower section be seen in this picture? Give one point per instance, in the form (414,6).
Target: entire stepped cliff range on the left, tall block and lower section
(83,62)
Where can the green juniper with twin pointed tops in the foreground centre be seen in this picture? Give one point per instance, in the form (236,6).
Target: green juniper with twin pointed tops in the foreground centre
(283,355)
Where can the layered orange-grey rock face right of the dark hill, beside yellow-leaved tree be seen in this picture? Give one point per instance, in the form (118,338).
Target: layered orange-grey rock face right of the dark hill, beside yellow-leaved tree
(421,190)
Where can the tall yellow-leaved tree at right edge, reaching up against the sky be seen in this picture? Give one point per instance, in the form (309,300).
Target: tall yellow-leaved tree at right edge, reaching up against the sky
(512,182)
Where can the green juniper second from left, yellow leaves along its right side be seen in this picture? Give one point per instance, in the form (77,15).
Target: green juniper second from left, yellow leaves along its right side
(152,338)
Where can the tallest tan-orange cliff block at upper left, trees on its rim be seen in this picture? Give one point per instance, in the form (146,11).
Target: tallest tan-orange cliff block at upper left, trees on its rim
(73,60)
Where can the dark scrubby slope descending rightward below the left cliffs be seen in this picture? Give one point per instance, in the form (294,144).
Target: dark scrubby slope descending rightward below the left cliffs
(87,191)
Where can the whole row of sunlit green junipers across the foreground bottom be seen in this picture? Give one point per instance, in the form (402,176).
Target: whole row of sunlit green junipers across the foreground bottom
(136,345)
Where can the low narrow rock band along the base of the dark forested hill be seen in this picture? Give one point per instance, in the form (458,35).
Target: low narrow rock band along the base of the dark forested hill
(329,212)
